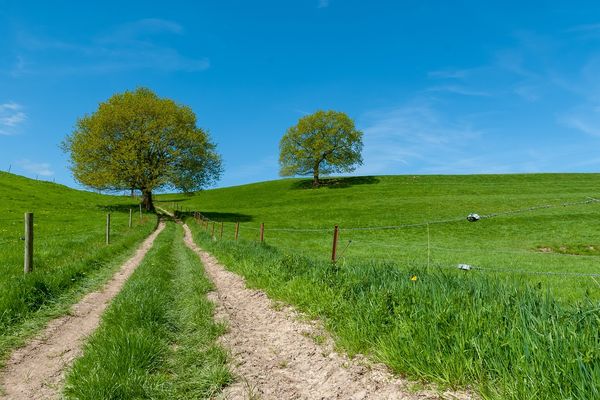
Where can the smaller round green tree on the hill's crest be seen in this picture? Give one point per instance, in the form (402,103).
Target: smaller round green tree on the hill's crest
(321,143)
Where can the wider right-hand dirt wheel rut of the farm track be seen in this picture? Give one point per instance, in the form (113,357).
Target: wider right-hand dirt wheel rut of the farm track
(277,357)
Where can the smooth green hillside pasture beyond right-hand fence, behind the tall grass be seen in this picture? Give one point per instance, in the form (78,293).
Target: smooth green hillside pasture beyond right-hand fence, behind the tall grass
(533,245)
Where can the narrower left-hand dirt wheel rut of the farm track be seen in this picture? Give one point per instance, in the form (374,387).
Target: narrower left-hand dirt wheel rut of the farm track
(36,371)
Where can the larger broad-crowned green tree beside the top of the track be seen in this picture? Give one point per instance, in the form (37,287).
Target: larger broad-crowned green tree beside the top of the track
(139,141)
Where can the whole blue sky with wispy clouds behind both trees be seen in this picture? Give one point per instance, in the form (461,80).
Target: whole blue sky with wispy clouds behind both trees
(437,87)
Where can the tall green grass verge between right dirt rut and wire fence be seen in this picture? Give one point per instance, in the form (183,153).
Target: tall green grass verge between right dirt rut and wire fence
(504,339)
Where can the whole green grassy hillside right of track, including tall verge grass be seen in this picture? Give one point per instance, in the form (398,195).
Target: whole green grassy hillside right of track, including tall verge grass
(523,324)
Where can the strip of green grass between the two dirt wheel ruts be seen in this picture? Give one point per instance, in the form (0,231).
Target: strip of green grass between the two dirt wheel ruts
(156,340)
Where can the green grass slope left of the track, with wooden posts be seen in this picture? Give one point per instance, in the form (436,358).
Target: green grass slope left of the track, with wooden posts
(70,254)
